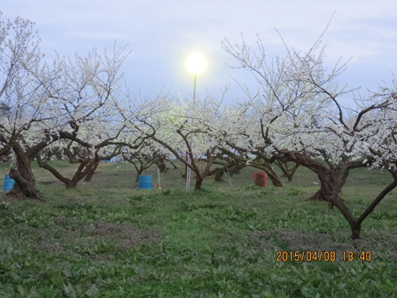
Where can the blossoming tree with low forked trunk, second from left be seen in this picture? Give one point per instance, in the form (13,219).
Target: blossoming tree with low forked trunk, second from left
(89,126)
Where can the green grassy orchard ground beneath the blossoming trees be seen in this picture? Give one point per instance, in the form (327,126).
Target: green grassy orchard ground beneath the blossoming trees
(108,238)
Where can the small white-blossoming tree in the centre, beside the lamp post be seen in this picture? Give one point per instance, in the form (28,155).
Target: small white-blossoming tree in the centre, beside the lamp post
(191,133)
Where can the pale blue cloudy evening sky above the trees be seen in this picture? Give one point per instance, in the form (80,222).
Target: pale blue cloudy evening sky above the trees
(160,35)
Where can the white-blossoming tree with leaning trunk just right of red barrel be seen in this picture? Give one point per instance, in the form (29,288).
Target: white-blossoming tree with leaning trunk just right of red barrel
(278,101)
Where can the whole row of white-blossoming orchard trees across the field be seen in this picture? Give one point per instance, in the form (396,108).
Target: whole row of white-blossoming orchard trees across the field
(80,108)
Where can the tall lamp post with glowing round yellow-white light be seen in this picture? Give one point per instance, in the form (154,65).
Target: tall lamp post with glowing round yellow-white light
(196,64)
